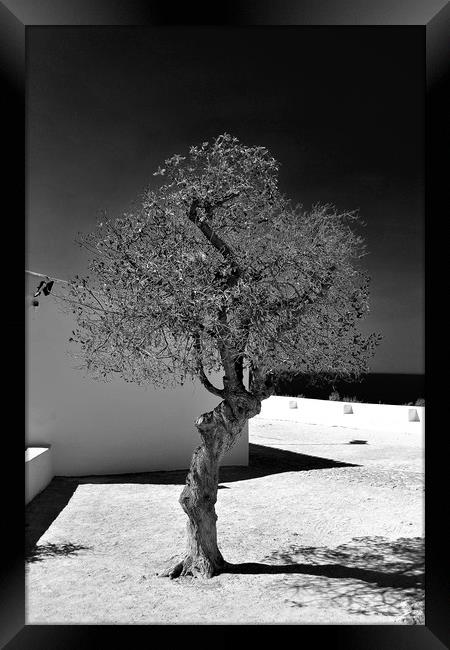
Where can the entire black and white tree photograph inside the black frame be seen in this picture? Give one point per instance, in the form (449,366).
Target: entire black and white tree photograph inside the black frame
(225,345)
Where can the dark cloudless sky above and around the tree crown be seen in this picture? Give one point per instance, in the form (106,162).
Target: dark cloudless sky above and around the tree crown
(342,110)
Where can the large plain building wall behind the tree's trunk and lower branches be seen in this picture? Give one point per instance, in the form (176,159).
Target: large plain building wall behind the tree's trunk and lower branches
(101,428)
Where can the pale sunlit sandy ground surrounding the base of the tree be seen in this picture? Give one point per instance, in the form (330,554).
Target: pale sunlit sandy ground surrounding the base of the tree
(322,532)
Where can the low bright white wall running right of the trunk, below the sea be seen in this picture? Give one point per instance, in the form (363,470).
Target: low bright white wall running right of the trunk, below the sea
(384,417)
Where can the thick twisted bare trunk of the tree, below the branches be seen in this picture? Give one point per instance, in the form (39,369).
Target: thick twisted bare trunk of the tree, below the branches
(219,429)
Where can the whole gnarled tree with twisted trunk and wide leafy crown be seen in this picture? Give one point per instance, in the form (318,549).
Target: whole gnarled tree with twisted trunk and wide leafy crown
(216,271)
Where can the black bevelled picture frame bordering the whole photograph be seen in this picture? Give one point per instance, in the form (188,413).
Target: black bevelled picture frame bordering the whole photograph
(15,18)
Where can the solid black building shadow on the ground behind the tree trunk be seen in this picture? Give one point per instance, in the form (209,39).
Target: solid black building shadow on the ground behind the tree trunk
(46,506)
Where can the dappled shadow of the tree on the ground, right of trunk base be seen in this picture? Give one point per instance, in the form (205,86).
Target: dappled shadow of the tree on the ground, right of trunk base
(368,576)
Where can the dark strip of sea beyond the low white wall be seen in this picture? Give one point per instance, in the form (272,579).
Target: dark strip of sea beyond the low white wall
(374,387)
